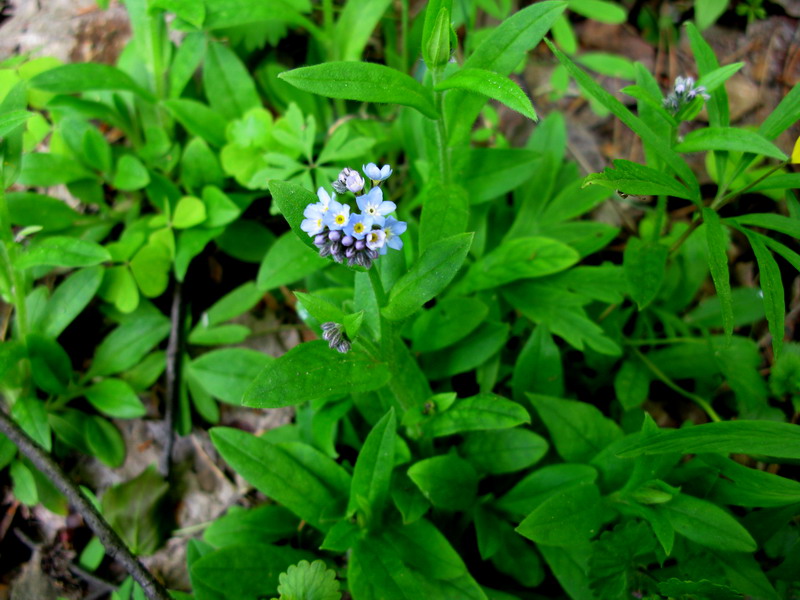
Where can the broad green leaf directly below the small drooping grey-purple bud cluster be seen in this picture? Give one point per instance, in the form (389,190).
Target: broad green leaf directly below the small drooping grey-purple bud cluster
(313,370)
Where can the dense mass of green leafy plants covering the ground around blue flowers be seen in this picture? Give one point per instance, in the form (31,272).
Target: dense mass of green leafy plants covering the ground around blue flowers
(476,420)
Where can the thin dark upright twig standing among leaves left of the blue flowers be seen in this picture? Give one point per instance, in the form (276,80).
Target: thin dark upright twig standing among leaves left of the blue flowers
(173,372)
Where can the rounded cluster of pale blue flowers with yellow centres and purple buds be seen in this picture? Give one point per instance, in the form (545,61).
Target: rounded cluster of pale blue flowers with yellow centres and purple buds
(357,238)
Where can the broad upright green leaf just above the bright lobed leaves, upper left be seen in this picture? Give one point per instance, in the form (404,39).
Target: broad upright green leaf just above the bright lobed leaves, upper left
(229,88)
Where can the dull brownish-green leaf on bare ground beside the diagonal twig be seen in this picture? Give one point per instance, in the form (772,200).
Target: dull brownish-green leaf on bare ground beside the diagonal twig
(135,510)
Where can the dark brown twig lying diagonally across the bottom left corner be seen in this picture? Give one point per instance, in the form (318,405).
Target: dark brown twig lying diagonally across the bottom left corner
(114,546)
